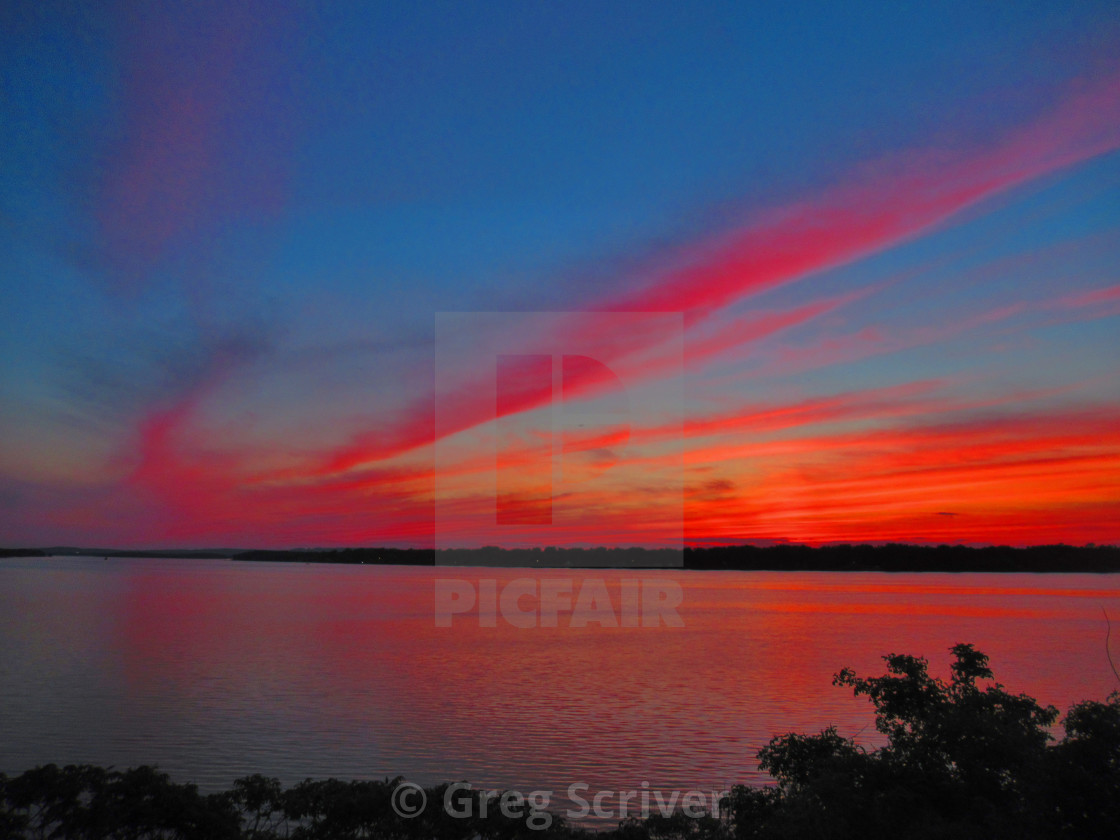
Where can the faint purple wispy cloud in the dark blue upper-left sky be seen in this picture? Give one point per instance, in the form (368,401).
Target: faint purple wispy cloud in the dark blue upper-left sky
(174,170)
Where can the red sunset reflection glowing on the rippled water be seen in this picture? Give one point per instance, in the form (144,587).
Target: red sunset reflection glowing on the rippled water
(351,656)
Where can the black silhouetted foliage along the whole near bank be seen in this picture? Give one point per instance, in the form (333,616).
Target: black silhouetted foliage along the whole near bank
(964,759)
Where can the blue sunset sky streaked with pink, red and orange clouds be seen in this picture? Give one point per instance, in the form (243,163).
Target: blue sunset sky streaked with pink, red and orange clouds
(312,275)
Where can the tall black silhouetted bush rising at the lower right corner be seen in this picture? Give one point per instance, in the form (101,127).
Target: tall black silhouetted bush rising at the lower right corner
(962,761)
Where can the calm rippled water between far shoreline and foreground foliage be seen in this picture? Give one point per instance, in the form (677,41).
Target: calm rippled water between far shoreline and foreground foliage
(218,669)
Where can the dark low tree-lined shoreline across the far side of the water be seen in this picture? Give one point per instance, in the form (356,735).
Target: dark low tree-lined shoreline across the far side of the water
(889,558)
